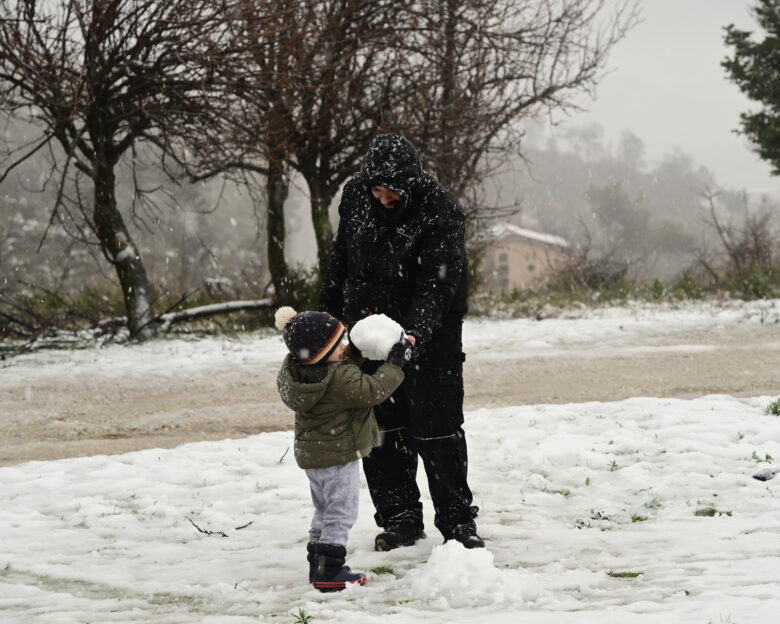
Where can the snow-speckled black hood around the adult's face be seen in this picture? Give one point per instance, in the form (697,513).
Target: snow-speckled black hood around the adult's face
(392,162)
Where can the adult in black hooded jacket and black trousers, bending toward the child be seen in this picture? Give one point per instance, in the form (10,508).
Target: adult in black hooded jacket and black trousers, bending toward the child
(400,251)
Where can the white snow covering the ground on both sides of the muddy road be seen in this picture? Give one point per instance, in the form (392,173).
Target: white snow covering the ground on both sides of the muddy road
(643,510)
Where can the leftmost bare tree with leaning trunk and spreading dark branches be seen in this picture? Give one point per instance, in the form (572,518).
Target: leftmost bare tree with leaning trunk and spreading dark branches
(99,77)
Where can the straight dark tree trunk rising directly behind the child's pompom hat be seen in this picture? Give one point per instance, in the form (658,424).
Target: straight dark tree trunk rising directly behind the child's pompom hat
(277,188)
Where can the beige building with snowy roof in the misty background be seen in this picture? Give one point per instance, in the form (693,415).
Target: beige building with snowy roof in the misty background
(520,258)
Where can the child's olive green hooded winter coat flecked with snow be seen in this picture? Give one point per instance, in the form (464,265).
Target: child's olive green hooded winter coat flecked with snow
(333,404)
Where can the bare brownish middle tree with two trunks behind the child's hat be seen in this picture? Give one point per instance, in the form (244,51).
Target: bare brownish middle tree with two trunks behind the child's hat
(326,67)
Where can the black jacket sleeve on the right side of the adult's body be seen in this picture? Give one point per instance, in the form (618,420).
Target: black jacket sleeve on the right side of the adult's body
(442,262)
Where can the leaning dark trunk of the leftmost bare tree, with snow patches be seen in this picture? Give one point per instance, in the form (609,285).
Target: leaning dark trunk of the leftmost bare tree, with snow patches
(119,248)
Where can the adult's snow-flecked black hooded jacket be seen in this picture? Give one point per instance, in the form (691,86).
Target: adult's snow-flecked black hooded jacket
(408,262)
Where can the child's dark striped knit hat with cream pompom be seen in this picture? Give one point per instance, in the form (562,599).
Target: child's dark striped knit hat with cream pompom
(310,336)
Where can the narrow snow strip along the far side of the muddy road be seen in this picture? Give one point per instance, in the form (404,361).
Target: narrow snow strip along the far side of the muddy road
(588,332)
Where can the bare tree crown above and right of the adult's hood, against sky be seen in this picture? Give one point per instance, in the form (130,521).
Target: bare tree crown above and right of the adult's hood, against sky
(476,69)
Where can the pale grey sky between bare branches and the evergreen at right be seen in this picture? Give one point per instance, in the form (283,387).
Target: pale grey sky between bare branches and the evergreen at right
(667,86)
